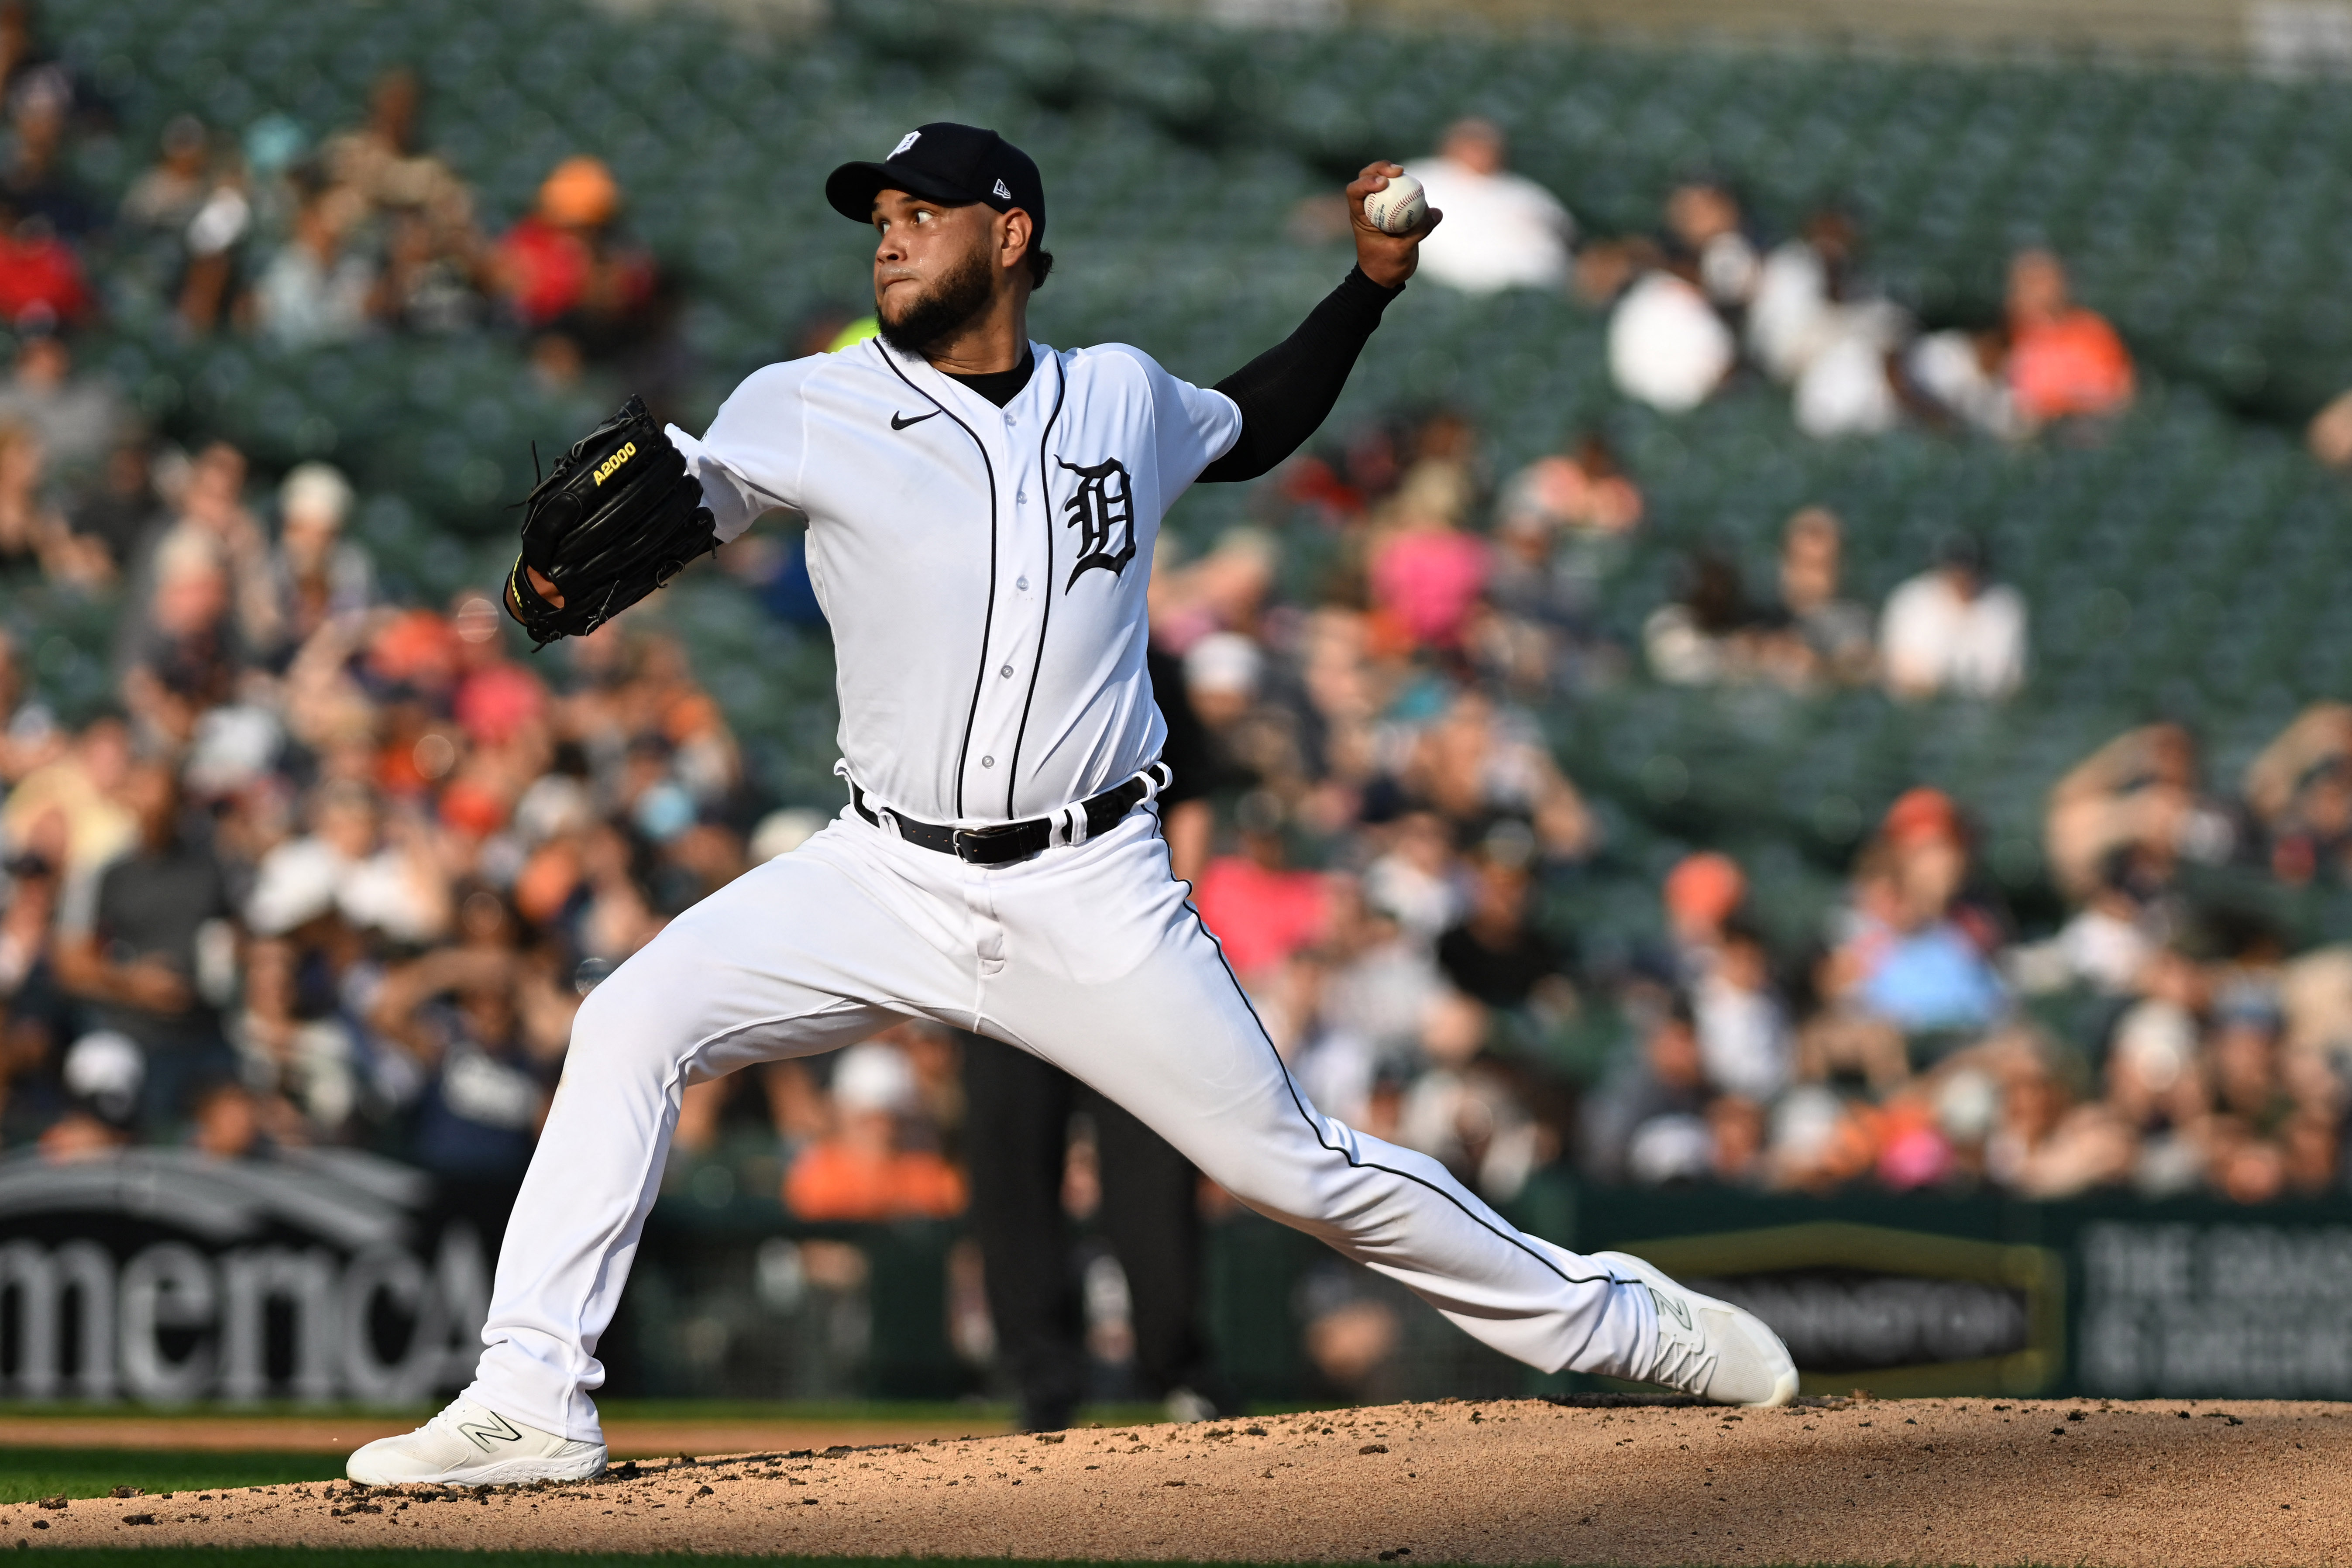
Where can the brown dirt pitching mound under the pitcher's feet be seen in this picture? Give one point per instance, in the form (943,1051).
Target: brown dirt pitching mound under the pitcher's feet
(1885,1482)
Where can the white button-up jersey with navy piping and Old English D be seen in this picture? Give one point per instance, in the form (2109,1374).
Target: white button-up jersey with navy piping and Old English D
(984,570)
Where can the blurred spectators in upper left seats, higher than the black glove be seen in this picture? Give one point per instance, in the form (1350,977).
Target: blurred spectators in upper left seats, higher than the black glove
(309,239)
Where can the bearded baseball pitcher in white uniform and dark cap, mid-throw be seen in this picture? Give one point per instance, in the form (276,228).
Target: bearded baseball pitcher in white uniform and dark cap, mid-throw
(982,516)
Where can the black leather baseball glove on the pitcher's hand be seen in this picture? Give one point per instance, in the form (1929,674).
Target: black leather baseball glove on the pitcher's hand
(615,521)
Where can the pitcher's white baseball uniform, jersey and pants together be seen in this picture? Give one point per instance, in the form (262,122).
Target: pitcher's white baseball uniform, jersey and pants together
(984,572)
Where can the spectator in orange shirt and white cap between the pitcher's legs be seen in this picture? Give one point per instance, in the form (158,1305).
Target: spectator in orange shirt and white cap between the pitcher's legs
(864,1170)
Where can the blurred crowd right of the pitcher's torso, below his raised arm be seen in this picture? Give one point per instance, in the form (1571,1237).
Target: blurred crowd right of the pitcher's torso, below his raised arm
(1384,732)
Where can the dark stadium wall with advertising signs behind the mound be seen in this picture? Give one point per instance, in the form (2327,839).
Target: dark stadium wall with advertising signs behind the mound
(166,1278)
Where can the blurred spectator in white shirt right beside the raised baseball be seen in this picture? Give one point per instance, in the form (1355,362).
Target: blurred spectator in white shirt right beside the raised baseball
(1502,232)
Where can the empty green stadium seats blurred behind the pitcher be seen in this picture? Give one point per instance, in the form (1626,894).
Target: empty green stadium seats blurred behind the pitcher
(2186,565)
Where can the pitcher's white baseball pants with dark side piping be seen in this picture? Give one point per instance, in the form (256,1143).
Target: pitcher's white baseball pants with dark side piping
(1085,956)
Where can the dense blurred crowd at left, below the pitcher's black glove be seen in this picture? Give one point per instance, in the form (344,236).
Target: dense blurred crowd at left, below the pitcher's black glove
(330,869)
